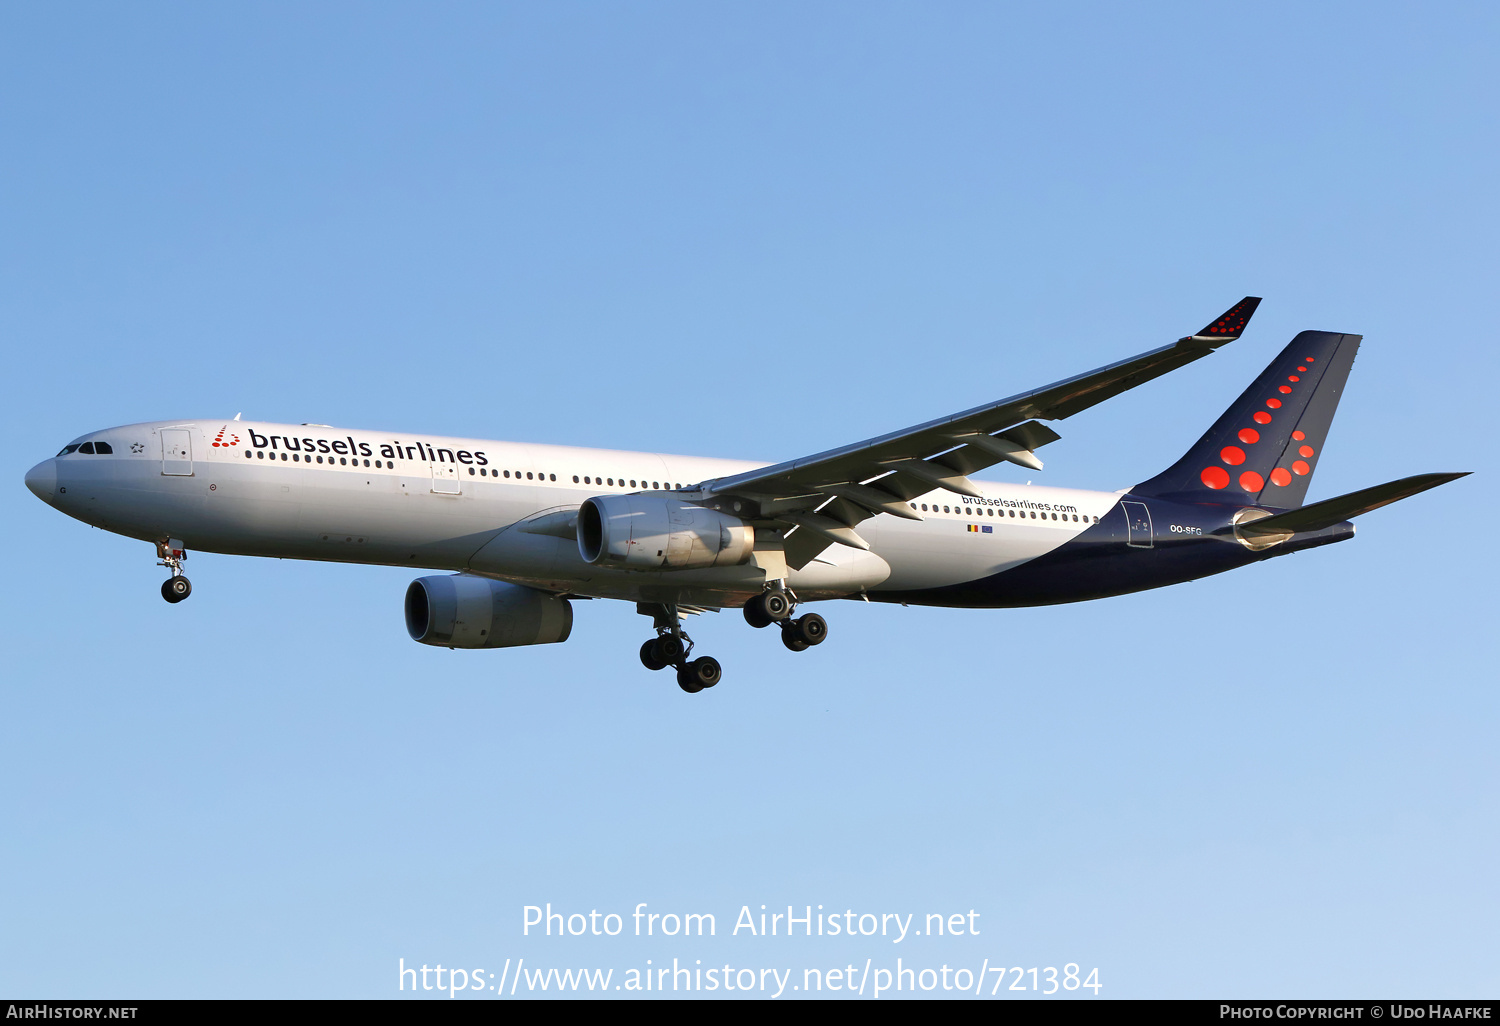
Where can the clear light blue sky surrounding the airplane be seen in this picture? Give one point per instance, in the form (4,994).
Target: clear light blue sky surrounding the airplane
(752,232)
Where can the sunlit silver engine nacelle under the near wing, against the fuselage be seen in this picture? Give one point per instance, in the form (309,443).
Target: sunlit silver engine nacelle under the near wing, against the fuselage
(655,532)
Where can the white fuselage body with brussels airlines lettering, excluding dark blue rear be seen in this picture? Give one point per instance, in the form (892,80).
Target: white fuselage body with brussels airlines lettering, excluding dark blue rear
(314,493)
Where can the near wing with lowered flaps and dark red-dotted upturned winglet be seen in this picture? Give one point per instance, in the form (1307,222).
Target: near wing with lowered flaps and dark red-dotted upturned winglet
(820,500)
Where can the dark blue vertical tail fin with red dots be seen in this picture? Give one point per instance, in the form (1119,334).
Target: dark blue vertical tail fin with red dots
(1267,446)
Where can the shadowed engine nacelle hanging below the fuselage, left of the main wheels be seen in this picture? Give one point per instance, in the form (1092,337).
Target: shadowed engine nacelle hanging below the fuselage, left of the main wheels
(463,611)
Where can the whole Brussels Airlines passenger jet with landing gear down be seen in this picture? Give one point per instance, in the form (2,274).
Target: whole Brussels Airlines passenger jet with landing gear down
(527,529)
